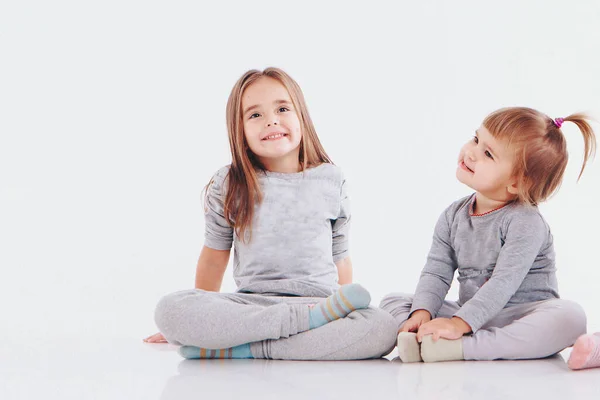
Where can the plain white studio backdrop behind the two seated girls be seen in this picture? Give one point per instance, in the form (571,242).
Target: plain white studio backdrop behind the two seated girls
(112,119)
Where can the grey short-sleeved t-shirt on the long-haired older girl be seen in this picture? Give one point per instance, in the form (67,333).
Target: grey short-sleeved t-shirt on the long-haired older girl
(299,230)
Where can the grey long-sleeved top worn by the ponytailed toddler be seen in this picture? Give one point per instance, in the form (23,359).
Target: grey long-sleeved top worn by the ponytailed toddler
(504,258)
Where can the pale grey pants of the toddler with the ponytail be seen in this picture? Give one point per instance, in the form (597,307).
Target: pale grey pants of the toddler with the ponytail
(533,330)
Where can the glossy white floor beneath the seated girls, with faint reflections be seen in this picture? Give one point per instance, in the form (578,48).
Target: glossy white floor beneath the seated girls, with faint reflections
(115,368)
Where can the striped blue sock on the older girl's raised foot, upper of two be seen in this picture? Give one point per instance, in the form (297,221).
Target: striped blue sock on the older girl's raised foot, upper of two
(347,299)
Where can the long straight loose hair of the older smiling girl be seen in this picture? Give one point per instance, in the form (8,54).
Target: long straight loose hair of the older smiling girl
(243,189)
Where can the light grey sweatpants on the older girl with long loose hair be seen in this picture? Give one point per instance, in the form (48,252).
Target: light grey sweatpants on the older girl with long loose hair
(276,327)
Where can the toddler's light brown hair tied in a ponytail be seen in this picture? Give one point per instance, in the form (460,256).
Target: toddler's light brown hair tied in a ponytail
(540,148)
